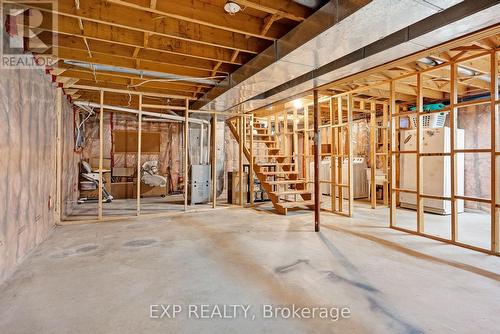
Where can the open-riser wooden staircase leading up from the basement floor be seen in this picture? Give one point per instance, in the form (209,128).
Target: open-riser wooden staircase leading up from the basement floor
(277,173)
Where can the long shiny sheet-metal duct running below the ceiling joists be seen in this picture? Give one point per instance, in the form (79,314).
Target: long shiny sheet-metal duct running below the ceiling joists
(358,42)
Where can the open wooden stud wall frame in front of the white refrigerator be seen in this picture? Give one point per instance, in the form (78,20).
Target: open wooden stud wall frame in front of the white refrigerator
(454,197)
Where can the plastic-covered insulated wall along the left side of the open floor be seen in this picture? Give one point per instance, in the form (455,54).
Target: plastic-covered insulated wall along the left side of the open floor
(27,164)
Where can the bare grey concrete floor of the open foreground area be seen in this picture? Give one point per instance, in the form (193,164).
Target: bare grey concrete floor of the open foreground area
(102,278)
